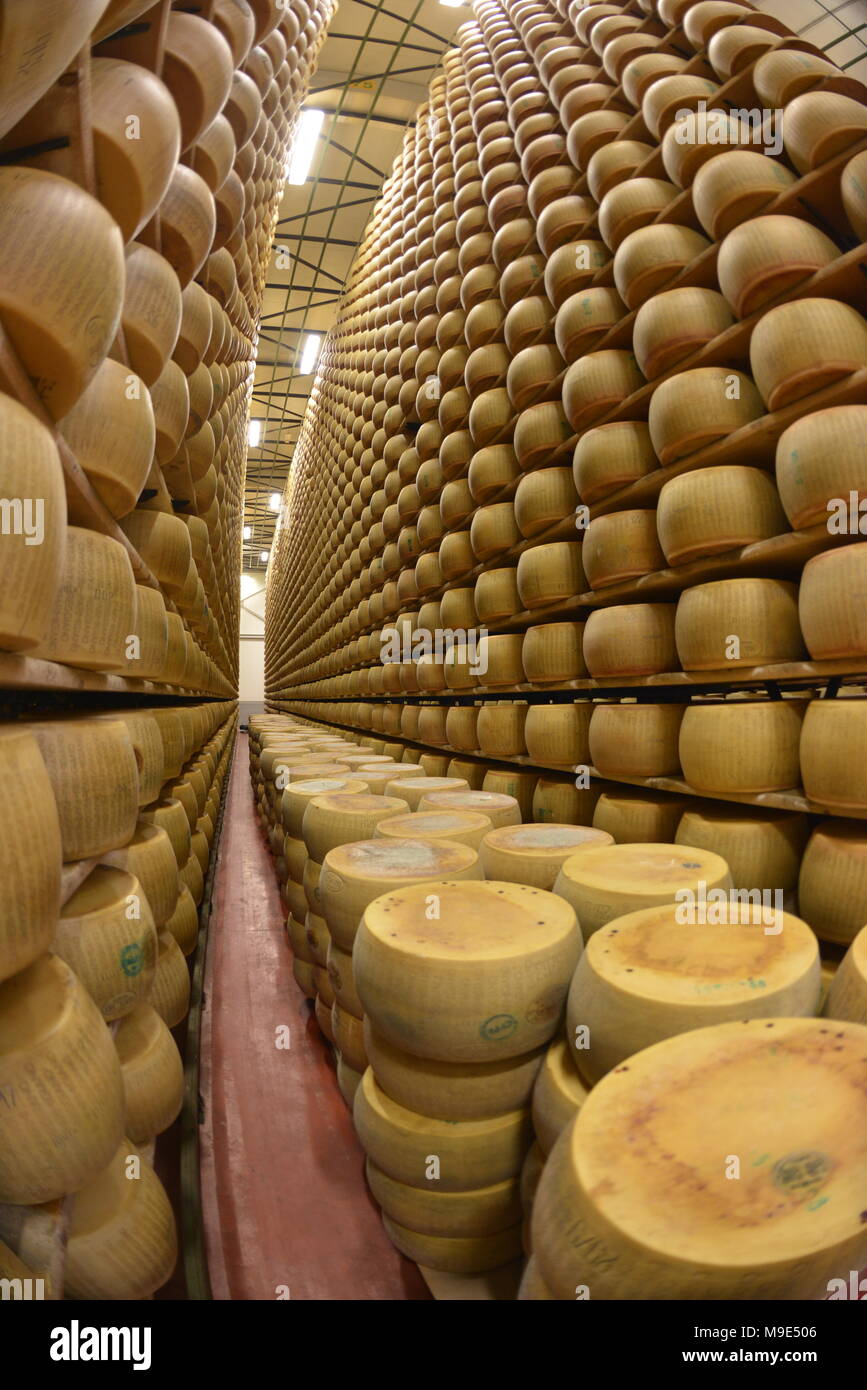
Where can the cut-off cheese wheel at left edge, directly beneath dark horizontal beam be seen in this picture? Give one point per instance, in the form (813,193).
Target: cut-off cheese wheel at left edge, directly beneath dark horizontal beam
(30,853)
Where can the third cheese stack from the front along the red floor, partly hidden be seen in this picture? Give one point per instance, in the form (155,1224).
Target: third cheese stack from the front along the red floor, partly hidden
(329,821)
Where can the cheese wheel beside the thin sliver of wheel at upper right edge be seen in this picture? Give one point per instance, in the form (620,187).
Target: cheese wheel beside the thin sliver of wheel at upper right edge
(768,256)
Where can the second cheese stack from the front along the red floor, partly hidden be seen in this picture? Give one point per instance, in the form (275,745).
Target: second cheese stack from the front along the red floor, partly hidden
(354,875)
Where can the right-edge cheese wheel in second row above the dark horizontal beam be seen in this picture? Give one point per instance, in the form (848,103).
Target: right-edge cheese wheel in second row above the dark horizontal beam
(819,468)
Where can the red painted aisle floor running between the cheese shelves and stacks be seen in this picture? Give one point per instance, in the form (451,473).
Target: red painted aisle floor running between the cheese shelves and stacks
(284,1197)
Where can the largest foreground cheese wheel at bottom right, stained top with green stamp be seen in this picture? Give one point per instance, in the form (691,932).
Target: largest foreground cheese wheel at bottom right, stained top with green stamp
(716,1092)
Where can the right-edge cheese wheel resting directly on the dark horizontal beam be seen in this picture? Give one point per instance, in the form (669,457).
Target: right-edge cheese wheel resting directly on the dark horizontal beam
(829,607)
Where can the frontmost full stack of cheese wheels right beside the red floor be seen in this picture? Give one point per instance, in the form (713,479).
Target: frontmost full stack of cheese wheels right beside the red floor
(463,986)
